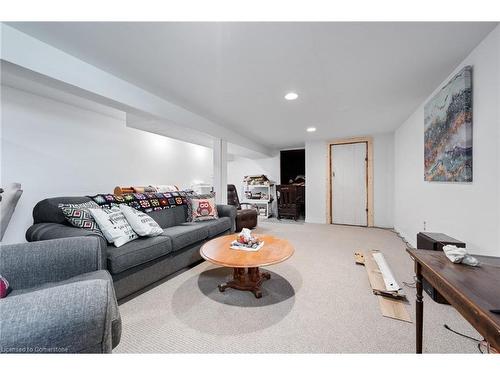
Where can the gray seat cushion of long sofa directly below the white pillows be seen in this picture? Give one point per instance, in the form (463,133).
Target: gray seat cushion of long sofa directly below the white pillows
(139,251)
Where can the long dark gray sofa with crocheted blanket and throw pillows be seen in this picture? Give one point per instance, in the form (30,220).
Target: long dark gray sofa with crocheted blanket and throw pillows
(144,261)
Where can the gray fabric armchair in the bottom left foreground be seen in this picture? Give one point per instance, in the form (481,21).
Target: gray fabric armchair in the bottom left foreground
(61,301)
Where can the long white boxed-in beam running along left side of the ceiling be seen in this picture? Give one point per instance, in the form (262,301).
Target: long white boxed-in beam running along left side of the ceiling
(40,60)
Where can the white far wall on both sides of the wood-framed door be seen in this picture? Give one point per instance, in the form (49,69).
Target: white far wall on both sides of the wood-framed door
(383,180)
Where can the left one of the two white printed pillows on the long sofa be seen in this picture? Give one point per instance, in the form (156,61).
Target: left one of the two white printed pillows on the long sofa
(114,225)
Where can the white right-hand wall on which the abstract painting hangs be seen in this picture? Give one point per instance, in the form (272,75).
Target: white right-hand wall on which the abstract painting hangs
(468,212)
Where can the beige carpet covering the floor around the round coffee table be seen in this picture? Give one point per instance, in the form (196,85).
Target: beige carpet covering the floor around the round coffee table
(318,301)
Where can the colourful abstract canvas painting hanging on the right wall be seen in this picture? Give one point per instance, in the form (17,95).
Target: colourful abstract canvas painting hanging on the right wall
(448,131)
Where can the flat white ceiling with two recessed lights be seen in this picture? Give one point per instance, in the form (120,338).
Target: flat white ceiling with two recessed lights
(352,78)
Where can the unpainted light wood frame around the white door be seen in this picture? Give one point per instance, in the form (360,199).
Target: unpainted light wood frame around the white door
(369,176)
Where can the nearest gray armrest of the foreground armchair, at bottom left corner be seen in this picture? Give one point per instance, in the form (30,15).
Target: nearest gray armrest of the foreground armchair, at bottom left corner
(69,318)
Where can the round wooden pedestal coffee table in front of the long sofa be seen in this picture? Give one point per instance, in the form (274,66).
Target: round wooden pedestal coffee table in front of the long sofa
(245,264)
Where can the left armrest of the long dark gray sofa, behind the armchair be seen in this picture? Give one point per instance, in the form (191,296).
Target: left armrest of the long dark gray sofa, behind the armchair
(51,231)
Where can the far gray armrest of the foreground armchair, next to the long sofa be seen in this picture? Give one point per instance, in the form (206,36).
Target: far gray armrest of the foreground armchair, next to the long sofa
(27,265)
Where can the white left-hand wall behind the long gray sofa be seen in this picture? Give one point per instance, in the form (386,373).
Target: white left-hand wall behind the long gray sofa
(57,149)
